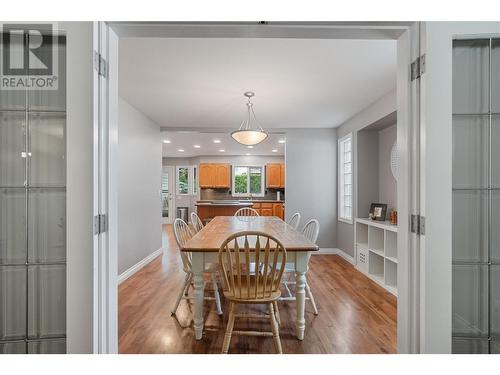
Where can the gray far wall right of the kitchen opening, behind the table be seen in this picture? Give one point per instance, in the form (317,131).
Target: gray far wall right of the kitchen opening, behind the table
(311,179)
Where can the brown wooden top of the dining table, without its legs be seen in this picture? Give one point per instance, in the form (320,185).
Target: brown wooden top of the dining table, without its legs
(211,237)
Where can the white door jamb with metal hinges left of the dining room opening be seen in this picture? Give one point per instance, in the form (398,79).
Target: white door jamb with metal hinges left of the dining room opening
(105,308)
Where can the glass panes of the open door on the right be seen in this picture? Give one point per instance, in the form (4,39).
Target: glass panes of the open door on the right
(476,196)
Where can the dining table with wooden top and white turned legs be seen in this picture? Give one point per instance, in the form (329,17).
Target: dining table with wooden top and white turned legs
(204,247)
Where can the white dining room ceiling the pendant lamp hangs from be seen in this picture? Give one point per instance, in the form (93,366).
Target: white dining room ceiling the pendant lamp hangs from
(199,82)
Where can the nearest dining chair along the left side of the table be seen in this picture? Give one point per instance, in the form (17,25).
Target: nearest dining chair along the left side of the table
(182,234)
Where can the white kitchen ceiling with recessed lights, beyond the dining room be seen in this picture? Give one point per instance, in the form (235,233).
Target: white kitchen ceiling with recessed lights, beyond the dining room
(187,140)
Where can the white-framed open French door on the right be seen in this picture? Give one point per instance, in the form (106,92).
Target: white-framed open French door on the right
(439,187)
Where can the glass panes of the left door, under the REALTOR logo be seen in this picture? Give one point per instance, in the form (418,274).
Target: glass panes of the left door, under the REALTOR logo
(33,193)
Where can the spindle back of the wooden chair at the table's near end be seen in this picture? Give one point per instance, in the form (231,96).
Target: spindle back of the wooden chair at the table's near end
(235,262)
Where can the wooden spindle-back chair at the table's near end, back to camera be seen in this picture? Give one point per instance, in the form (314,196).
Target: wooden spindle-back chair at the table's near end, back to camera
(245,286)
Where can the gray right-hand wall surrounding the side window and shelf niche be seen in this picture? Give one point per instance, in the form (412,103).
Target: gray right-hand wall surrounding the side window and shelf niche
(381,108)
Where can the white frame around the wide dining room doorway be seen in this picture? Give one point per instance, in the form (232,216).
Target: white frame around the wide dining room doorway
(407,41)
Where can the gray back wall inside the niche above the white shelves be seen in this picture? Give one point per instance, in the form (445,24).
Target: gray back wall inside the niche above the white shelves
(386,181)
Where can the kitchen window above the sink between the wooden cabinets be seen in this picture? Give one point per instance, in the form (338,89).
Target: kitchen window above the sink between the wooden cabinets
(248,181)
